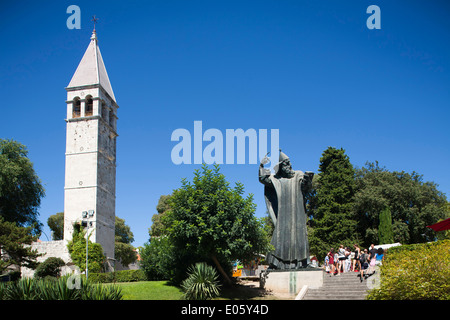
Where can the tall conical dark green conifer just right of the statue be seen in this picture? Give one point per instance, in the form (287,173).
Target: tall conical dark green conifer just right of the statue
(333,221)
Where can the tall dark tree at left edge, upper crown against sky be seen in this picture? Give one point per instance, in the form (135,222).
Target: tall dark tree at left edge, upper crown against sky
(20,187)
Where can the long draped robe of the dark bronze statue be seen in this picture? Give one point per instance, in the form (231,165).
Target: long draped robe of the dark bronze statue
(285,203)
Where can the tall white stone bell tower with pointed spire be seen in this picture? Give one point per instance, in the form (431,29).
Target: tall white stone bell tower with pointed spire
(90,178)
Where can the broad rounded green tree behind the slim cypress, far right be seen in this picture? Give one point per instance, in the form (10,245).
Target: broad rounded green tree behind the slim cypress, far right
(414,204)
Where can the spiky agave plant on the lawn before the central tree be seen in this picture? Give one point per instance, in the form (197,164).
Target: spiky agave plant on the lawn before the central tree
(202,283)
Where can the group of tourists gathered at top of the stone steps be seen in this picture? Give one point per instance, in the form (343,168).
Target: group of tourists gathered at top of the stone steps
(346,260)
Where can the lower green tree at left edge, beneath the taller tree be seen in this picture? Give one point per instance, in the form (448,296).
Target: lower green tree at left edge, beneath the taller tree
(15,246)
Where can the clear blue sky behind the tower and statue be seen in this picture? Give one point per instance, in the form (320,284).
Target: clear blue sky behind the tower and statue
(311,69)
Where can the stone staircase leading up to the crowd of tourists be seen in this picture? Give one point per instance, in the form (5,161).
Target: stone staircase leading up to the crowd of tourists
(346,286)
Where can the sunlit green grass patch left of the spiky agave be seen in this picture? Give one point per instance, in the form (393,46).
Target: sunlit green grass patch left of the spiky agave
(149,290)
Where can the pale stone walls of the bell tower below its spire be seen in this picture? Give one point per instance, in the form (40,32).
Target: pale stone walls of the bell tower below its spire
(91,169)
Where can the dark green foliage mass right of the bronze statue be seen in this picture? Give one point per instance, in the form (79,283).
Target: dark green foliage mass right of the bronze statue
(347,206)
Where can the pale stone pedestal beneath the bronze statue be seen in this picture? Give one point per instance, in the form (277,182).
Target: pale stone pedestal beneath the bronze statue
(291,282)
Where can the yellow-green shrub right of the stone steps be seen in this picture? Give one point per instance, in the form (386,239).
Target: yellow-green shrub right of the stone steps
(416,272)
